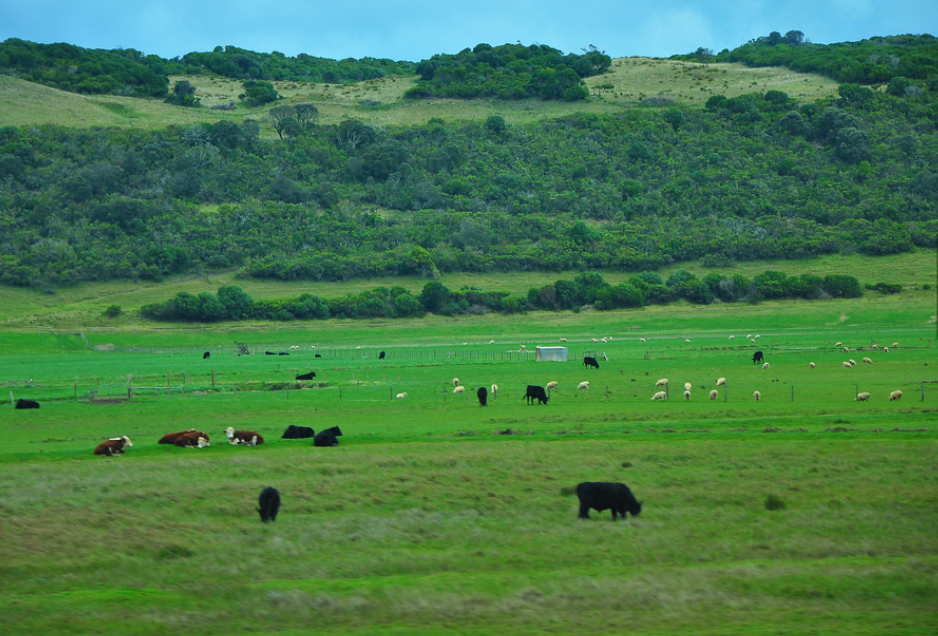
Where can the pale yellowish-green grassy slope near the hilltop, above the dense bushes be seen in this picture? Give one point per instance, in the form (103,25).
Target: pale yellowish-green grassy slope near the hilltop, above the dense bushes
(631,80)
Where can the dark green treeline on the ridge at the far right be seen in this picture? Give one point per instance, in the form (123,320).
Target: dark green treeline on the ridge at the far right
(878,60)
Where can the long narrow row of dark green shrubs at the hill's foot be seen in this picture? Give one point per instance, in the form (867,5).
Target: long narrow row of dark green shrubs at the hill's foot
(586,289)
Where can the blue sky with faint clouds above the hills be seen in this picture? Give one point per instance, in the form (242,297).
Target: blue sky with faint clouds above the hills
(417,29)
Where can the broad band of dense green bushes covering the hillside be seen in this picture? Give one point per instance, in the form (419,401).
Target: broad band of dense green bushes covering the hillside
(756,176)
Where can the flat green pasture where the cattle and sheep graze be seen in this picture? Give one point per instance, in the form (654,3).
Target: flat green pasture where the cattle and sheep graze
(805,512)
